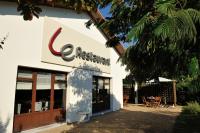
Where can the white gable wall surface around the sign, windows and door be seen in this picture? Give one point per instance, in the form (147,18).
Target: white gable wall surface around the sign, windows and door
(23,48)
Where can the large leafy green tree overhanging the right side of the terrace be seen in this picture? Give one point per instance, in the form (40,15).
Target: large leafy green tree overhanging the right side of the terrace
(166,32)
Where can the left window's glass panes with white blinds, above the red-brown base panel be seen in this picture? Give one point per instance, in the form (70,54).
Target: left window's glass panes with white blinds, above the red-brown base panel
(39,90)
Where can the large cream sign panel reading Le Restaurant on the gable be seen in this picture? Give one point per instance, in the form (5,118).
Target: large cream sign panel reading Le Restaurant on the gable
(66,45)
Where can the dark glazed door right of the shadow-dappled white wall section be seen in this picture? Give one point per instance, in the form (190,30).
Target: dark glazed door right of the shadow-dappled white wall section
(100,94)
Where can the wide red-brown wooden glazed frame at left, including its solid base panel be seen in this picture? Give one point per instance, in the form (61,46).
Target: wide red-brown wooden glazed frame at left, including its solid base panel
(40,98)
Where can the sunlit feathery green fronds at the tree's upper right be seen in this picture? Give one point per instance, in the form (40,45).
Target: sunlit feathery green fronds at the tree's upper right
(168,22)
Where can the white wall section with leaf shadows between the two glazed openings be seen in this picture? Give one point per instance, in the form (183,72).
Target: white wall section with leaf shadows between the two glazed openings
(80,92)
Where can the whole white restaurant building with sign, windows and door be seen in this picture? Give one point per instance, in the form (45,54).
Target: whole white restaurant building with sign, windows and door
(55,69)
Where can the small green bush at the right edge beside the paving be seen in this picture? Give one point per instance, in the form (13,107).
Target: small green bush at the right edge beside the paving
(192,108)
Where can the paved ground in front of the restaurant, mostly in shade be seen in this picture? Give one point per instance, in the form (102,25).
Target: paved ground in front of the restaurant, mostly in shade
(131,119)
